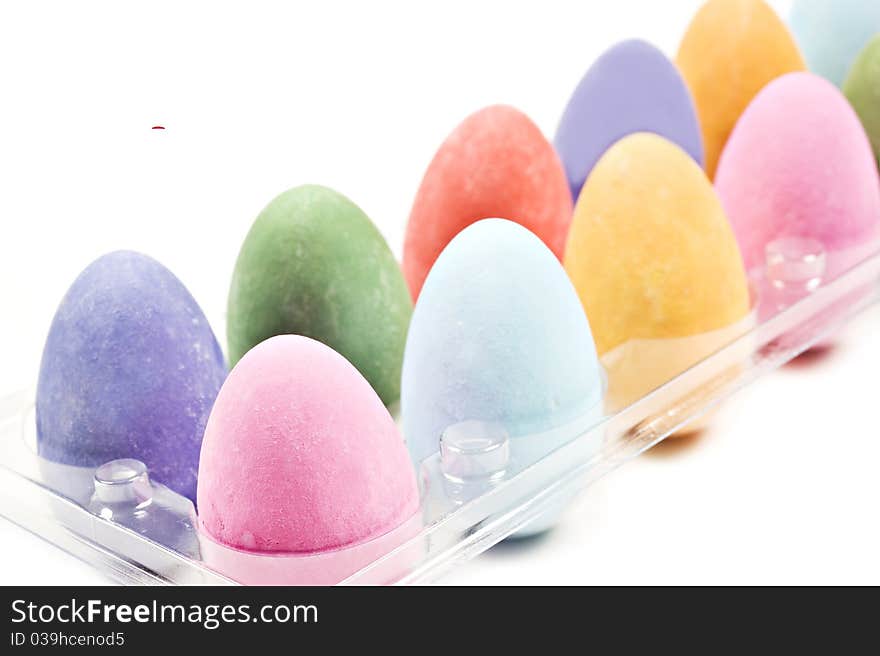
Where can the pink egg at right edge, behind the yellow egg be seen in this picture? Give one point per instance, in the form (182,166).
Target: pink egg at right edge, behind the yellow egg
(798,172)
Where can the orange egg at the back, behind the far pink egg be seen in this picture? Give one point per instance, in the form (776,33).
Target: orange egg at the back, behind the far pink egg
(730,51)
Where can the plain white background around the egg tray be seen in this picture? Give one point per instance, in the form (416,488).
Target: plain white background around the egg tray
(257,98)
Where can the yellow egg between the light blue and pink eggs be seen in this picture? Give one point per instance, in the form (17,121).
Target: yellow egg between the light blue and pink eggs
(656,265)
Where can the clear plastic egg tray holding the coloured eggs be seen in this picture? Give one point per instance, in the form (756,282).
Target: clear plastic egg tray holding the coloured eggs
(473,493)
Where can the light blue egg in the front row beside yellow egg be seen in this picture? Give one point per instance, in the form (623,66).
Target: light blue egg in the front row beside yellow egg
(499,336)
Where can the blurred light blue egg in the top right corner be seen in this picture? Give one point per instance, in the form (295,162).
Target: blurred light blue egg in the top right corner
(831,33)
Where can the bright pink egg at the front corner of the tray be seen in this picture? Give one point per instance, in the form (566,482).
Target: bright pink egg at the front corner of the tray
(300,456)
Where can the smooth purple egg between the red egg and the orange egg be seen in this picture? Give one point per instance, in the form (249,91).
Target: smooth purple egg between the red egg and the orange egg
(632,87)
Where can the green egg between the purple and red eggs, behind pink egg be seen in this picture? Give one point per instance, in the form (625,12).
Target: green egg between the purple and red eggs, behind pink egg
(314,264)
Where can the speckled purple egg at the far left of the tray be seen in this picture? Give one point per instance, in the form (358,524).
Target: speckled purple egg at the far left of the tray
(130,369)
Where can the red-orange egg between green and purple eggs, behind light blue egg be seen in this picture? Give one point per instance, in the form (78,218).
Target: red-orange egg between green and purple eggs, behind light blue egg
(495,164)
